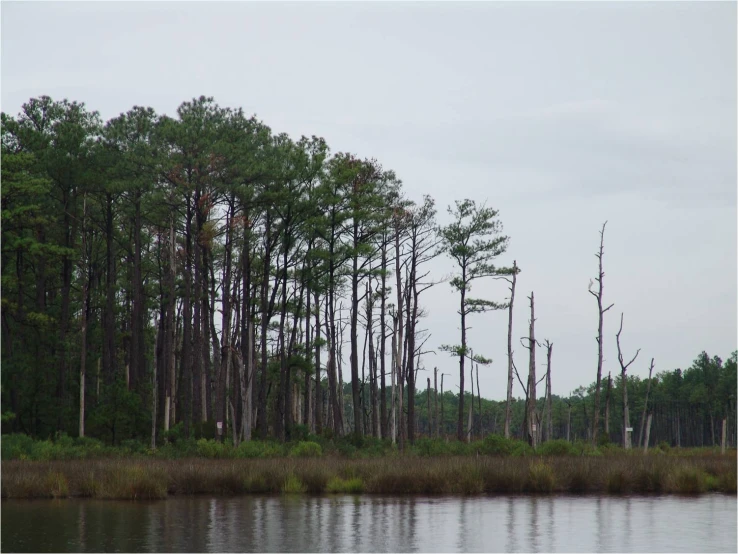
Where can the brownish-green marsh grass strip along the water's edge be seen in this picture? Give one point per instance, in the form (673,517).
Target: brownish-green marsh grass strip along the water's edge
(151,478)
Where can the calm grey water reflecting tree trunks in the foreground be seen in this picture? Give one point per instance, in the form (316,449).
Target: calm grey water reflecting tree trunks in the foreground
(373,524)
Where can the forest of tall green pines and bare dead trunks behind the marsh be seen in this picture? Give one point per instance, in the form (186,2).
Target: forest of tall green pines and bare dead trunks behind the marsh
(206,276)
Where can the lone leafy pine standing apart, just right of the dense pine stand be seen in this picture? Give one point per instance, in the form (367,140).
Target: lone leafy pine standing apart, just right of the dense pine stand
(473,240)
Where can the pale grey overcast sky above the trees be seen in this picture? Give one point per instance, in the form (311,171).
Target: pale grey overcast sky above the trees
(560,115)
